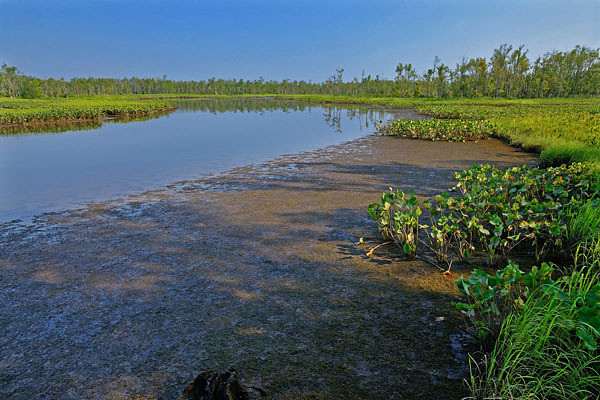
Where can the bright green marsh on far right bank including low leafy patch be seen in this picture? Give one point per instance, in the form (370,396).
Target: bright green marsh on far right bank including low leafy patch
(563,132)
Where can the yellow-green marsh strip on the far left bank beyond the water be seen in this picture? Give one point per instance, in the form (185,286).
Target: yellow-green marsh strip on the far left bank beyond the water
(23,111)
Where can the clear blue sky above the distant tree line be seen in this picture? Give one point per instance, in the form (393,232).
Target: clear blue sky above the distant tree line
(297,39)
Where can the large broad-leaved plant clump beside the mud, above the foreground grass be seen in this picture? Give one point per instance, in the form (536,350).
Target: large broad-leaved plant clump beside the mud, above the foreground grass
(495,215)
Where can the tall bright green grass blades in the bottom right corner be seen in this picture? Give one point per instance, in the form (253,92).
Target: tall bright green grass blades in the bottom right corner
(537,356)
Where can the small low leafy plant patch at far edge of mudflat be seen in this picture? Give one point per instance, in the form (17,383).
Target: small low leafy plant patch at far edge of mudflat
(452,130)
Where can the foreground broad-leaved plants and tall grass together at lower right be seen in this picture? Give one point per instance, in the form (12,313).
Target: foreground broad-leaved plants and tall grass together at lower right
(524,213)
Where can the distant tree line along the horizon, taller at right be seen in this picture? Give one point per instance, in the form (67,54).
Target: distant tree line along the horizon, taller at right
(509,73)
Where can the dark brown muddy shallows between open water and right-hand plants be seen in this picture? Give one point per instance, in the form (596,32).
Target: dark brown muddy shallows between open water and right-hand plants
(255,268)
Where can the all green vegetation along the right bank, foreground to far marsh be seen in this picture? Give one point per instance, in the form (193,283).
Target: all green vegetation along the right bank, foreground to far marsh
(539,330)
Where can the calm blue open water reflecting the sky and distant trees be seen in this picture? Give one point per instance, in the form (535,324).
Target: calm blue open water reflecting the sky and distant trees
(51,171)
